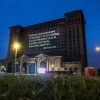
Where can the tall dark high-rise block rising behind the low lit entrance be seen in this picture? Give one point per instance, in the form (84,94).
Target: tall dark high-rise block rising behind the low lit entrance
(63,37)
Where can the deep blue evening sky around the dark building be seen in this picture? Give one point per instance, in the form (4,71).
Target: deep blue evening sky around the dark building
(28,12)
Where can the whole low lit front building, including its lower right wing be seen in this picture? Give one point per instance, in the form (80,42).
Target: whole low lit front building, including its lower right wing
(43,63)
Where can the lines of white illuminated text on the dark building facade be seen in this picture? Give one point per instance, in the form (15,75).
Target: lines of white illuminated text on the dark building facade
(43,39)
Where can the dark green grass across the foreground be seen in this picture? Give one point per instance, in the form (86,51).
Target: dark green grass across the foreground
(62,87)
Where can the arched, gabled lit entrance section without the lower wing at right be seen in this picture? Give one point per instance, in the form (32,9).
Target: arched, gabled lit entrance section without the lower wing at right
(32,65)
